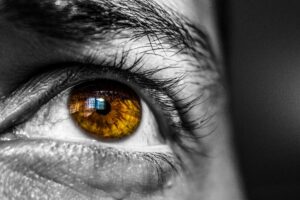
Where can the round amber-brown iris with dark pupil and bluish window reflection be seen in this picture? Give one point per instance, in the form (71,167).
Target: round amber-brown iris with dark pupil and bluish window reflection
(105,109)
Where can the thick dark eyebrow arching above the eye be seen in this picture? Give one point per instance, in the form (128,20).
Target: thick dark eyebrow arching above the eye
(98,20)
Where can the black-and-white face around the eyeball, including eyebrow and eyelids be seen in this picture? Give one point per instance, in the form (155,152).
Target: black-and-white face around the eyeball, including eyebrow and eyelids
(185,60)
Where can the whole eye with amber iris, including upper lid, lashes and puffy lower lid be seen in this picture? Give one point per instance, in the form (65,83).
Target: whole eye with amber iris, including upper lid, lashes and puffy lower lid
(95,114)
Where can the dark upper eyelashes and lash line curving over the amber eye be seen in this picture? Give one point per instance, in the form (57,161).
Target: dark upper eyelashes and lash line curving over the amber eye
(160,91)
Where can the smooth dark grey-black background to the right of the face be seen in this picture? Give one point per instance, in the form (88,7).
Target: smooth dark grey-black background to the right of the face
(262,41)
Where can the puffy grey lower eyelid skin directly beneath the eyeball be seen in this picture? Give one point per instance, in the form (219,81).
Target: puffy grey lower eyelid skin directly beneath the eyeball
(102,168)
